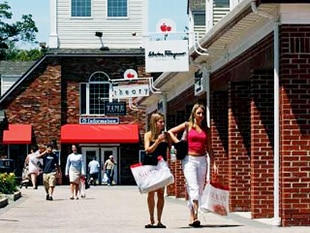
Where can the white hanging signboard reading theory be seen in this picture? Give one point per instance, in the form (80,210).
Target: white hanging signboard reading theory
(130,91)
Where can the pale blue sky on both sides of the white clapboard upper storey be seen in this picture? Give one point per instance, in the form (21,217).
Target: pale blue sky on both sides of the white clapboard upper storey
(158,9)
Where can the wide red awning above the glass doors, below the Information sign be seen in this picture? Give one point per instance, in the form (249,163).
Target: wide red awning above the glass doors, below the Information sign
(79,133)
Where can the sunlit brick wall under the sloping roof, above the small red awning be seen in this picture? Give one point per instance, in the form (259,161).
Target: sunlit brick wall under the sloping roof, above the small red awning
(44,110)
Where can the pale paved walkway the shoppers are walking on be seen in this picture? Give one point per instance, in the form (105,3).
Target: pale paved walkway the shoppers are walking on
(112,210)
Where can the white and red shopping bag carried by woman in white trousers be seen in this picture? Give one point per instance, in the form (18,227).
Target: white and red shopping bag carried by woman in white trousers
(215,198)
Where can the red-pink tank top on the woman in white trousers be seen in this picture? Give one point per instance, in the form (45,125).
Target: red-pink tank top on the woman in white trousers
(197,141)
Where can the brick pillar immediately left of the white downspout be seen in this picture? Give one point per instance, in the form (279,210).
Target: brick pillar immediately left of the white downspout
(262,136)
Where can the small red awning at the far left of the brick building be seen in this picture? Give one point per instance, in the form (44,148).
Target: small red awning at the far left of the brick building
(17,134)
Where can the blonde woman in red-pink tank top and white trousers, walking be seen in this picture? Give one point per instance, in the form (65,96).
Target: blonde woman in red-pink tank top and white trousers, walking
(195,163)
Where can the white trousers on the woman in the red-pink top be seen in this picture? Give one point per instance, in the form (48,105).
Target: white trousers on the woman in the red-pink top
(194,170)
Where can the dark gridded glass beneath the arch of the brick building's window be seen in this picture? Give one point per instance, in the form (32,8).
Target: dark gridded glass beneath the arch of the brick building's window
(98,94)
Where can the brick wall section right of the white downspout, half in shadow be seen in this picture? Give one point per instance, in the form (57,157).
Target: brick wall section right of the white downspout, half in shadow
(295,122)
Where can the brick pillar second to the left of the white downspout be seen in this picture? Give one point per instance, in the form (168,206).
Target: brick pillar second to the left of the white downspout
(239,146)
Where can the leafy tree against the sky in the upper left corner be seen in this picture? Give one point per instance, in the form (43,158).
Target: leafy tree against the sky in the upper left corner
(13,32)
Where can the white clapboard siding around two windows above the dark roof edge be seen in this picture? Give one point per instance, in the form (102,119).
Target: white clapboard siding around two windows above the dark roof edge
(76,32)
